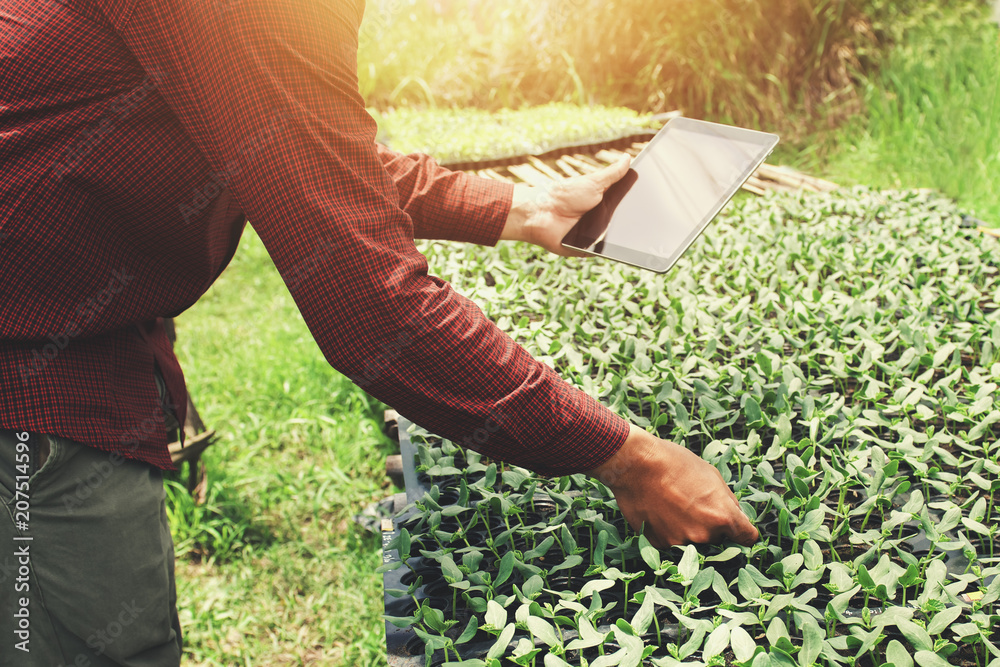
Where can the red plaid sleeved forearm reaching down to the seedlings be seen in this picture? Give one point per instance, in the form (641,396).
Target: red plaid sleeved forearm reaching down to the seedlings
(488,393)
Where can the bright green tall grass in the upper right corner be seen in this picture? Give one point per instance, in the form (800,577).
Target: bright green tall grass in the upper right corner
(933,112)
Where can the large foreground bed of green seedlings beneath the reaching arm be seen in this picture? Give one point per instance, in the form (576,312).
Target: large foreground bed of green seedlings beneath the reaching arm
(837,357)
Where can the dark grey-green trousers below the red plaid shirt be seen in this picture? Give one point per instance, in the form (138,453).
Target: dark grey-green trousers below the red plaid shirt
(86,559)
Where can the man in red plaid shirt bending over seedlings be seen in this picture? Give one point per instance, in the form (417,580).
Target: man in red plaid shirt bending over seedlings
(136,138)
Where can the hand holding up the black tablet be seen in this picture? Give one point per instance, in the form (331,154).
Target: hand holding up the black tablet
(543,216)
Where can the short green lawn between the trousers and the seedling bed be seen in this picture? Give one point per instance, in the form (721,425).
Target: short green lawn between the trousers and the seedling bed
(272,570)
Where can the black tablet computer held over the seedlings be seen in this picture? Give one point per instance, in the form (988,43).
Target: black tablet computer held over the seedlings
(674,188)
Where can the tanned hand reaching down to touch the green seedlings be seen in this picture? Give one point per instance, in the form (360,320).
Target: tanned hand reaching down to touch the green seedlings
(679,497)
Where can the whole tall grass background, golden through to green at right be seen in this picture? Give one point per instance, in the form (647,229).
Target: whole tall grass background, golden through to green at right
(893,93)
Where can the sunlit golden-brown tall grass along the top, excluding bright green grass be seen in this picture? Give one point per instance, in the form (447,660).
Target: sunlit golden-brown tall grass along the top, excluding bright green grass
(759,64)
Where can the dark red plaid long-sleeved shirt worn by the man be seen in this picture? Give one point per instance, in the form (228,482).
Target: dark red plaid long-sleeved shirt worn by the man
(137,137)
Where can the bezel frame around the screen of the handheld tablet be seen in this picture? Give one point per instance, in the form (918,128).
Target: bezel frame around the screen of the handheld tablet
(660,263)
